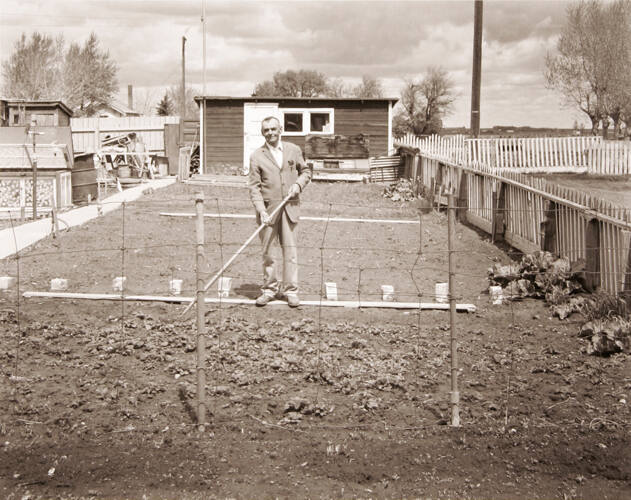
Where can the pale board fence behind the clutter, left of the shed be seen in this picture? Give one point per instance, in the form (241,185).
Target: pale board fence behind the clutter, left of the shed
(149,128)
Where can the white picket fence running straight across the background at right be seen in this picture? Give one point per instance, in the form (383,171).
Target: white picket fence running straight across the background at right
(589,155)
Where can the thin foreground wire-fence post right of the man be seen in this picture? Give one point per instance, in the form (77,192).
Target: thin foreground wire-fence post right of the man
(451,237)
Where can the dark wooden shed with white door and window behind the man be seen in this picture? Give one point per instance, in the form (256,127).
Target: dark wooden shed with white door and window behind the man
(231,126)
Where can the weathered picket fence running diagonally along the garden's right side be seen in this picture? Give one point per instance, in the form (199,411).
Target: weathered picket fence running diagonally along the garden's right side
(530,213)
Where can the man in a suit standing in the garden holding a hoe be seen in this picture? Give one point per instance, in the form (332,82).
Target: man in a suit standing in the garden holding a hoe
(277,170)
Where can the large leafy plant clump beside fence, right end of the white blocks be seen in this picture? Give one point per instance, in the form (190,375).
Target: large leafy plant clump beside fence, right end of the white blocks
(539,275)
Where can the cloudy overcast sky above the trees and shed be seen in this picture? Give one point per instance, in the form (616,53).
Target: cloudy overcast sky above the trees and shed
(246,42)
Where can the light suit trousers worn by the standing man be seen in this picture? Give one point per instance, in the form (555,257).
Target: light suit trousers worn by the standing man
(281,231)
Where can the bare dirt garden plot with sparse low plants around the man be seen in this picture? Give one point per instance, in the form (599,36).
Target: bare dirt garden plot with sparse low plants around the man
(98,398)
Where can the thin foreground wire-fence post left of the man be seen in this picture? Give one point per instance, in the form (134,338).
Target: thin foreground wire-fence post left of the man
(201,341)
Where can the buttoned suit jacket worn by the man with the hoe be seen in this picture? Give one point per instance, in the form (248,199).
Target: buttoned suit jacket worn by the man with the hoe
(269,184)
